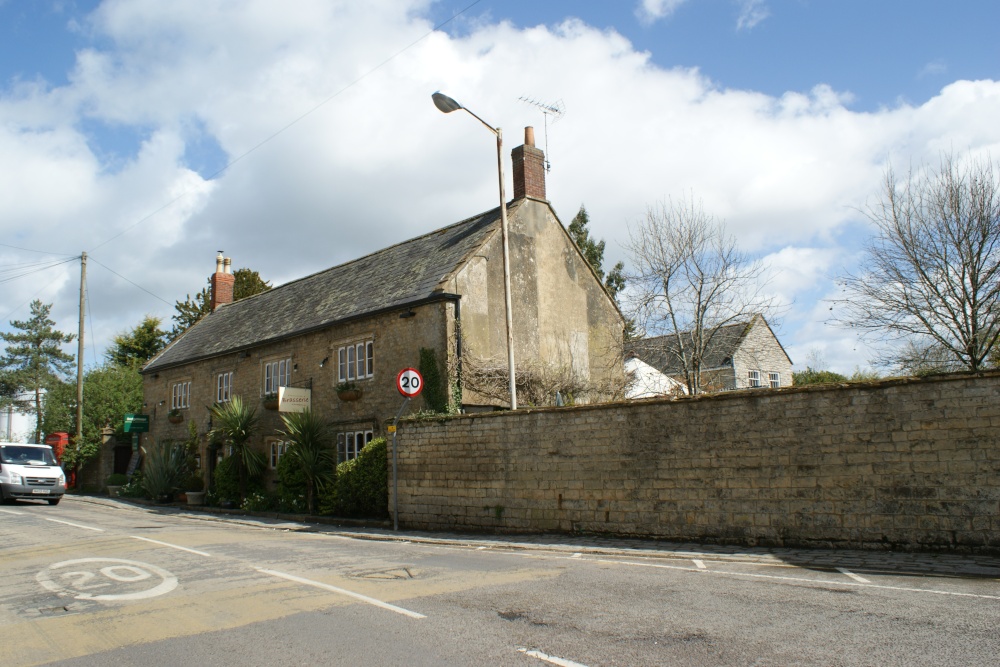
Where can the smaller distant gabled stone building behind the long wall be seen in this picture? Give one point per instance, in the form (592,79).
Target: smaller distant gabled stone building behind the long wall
(743,355)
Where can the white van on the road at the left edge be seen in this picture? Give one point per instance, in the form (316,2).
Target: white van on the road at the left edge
(30,471)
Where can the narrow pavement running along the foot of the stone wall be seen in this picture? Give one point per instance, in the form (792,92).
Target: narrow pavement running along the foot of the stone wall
(863,561)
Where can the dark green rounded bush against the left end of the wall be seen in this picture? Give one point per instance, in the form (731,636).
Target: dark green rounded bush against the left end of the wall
(362,487)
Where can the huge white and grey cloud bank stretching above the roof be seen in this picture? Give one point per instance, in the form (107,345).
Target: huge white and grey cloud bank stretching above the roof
(378,163)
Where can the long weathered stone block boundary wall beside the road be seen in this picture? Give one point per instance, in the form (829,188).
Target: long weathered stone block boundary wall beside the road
(909,464)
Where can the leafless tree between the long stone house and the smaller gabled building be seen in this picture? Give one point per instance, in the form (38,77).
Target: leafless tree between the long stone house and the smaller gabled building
(690,281)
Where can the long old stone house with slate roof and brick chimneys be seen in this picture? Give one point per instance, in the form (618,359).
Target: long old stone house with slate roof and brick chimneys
(432,301)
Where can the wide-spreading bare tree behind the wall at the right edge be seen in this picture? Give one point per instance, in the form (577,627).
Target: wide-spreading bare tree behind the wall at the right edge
(929,280)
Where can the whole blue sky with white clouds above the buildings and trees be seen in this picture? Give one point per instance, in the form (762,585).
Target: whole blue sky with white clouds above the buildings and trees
(296,136)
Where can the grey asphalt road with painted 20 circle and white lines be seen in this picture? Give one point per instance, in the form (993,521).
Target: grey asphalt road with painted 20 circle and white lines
(109,583)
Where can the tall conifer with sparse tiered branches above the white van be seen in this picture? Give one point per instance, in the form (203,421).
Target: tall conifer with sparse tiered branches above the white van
(34,361)
